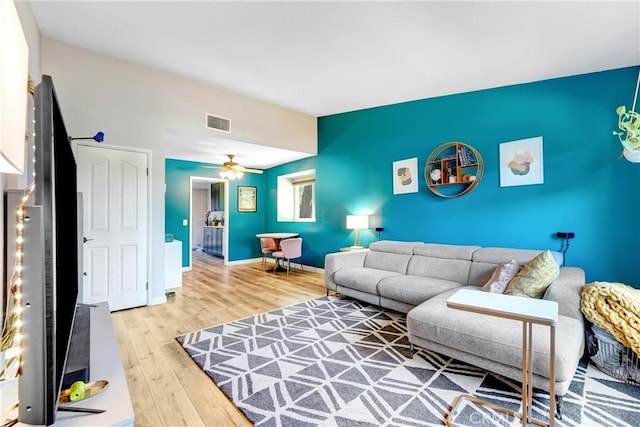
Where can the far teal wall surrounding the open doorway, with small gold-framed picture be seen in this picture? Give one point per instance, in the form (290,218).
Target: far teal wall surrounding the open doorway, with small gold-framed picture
(242,226)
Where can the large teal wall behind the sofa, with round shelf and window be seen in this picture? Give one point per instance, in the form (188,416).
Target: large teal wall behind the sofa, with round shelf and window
(587,188)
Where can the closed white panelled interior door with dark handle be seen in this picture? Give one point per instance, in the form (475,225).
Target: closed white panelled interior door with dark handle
(114,187)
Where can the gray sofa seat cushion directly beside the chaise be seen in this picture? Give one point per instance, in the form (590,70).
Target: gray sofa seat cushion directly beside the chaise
(413,289)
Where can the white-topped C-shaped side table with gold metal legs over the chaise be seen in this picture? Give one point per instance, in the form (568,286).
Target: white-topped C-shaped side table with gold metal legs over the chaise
(528,311)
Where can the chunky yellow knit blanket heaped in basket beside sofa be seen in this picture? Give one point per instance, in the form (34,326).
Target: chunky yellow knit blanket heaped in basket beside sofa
(615,307)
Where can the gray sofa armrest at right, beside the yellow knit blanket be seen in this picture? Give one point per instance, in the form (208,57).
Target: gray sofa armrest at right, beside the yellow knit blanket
(566,290)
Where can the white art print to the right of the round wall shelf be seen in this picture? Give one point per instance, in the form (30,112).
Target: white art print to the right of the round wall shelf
(521,162)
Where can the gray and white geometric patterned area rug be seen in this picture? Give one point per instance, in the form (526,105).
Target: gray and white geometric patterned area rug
(336,361)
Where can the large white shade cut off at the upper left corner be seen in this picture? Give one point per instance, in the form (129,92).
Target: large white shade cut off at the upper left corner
(14,73)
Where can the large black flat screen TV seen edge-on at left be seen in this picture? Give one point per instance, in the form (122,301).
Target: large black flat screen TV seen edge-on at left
(50,263)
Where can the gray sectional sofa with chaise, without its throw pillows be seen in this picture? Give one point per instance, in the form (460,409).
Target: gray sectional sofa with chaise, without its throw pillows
(417,278)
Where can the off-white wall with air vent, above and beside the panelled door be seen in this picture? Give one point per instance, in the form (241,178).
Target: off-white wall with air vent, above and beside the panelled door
(137,106)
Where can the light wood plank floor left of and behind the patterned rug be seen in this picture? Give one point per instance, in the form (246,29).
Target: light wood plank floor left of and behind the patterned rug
(167,388)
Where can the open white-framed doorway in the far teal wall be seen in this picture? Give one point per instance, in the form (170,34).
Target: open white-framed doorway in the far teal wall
(209,219)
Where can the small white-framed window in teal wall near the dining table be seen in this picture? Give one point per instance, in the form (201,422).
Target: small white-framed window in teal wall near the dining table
(297,196)
